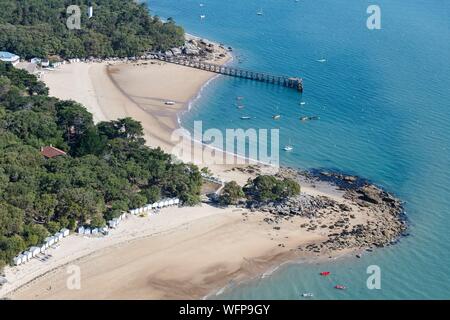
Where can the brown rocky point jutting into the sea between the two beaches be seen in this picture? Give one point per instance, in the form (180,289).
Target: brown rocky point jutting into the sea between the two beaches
(383,221)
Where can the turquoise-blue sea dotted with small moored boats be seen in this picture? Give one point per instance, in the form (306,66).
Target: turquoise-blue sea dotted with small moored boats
(384,101)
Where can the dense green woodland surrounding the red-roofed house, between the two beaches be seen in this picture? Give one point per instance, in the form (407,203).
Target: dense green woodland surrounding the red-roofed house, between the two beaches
(107,168)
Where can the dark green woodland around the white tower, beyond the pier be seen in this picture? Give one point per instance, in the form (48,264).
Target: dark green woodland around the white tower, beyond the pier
(118,28)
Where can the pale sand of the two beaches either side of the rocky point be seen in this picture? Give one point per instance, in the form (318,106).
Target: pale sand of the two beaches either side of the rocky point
(183,252)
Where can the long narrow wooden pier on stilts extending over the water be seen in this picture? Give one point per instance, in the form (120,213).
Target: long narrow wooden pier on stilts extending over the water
(290,82)
